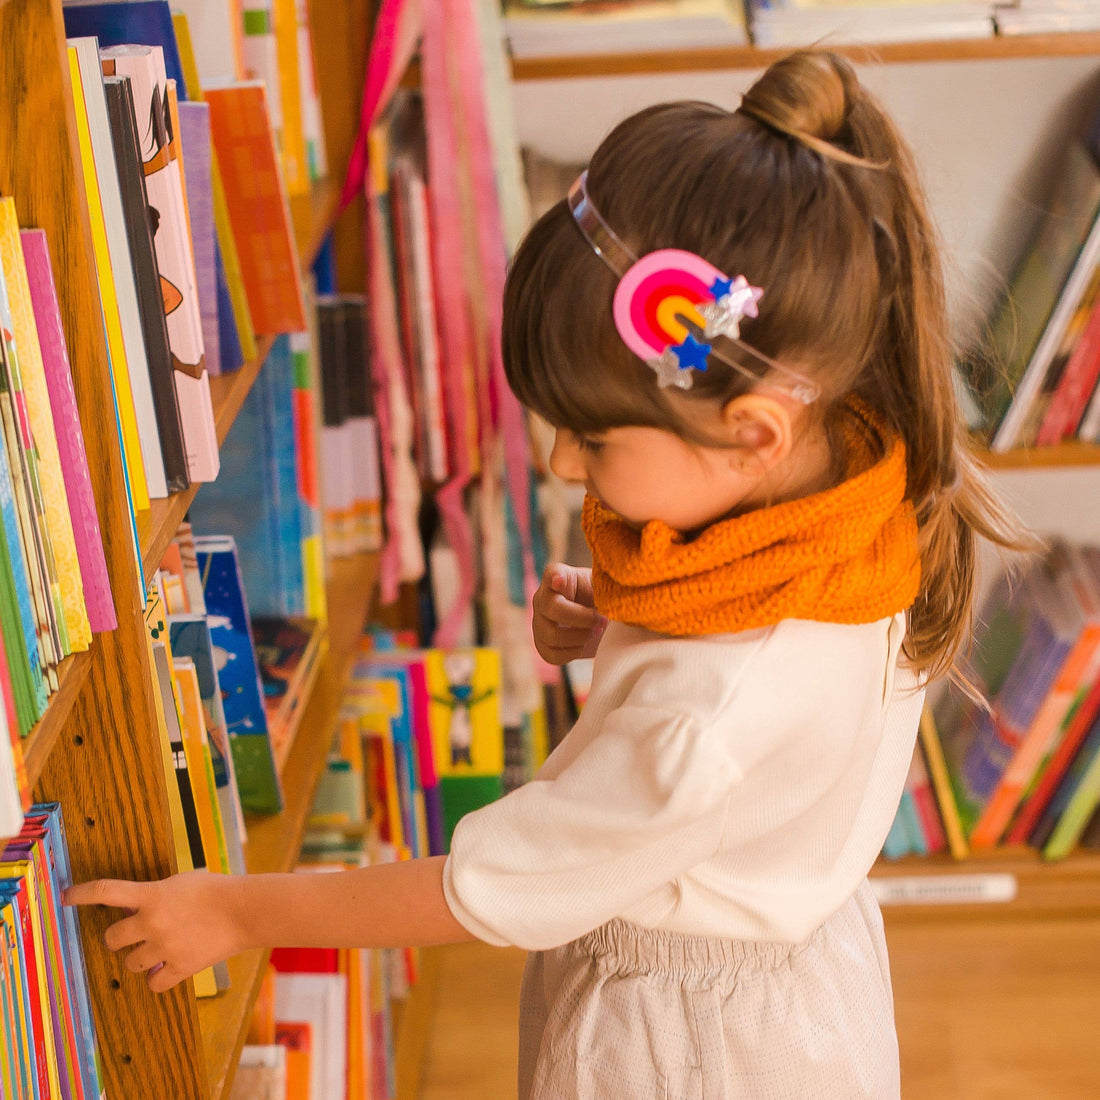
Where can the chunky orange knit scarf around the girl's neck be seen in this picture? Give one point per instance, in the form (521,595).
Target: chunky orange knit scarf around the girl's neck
(849,555)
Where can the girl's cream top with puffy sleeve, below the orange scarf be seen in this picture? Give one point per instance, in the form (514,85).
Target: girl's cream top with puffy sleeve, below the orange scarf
(736,786)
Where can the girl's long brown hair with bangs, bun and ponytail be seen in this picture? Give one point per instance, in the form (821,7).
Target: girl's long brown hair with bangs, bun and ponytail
(809,191)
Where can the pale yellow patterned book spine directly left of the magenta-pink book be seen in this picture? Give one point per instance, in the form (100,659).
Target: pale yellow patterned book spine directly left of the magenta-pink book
(37,392)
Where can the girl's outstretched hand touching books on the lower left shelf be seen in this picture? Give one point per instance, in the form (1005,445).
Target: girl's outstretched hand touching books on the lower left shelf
(177,927)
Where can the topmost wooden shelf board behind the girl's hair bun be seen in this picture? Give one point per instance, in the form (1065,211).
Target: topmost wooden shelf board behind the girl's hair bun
(746,58)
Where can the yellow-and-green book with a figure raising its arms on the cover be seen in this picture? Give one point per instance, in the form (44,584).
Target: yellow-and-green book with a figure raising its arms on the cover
(468,735)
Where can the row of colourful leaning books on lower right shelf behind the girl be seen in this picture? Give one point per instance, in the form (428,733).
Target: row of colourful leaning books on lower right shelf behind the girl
(1021,766)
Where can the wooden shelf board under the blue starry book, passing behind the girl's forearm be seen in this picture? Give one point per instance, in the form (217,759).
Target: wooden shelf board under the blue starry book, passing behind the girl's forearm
(274,841)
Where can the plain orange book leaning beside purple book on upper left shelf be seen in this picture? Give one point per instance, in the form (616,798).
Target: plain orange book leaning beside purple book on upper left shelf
(259,211)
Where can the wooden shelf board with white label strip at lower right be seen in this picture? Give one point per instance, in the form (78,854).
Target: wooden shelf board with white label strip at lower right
(1044,889)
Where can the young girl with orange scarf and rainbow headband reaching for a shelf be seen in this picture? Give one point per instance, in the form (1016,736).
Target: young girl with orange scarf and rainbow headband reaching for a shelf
(736,325)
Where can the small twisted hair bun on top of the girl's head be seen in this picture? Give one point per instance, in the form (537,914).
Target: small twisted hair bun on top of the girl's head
(807,96)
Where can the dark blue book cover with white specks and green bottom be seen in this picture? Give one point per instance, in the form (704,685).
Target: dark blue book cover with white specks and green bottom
(239,675)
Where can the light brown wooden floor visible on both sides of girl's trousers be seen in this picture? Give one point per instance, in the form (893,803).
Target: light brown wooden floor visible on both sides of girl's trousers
(998,1011)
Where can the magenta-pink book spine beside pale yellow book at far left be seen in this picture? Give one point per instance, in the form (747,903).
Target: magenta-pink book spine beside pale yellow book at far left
(90,543)
